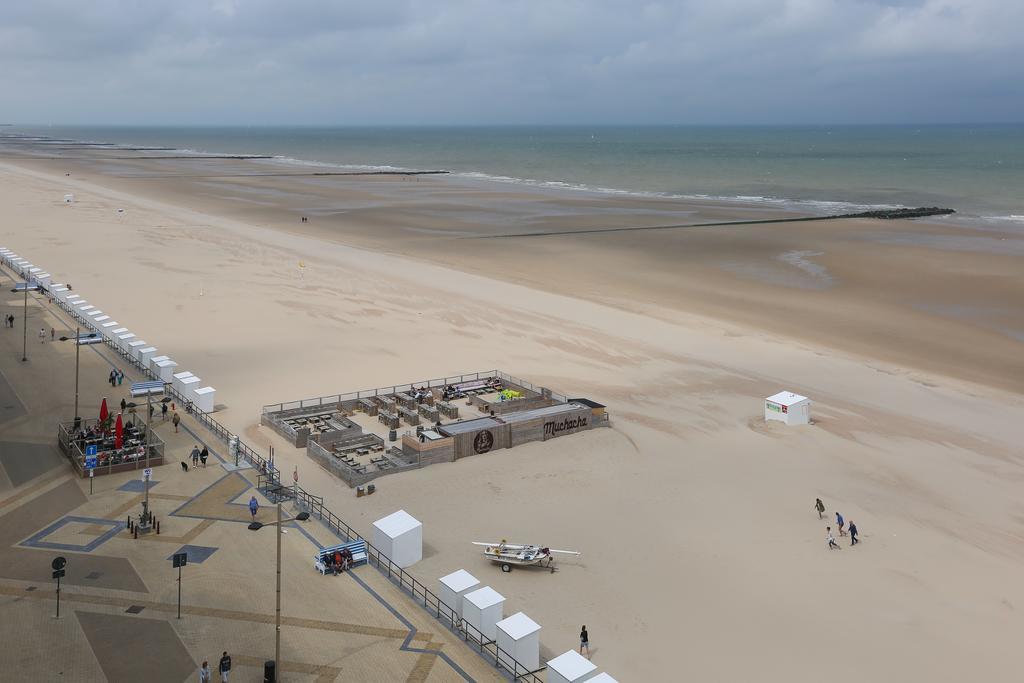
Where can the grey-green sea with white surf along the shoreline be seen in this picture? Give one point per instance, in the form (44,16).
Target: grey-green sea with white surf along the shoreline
(978,170)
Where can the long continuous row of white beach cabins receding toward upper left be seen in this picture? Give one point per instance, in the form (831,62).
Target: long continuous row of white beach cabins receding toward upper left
(106,328)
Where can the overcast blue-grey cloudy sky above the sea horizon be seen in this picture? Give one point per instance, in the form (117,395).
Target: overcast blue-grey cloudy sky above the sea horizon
(516,62)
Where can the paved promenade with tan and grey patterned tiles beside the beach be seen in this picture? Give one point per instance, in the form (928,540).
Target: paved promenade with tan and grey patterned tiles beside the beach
(119,599)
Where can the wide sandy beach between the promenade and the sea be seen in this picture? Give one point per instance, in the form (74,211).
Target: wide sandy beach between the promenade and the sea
(703,558)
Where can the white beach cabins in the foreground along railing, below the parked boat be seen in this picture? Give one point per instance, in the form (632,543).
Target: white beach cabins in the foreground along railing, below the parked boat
(400,536)
